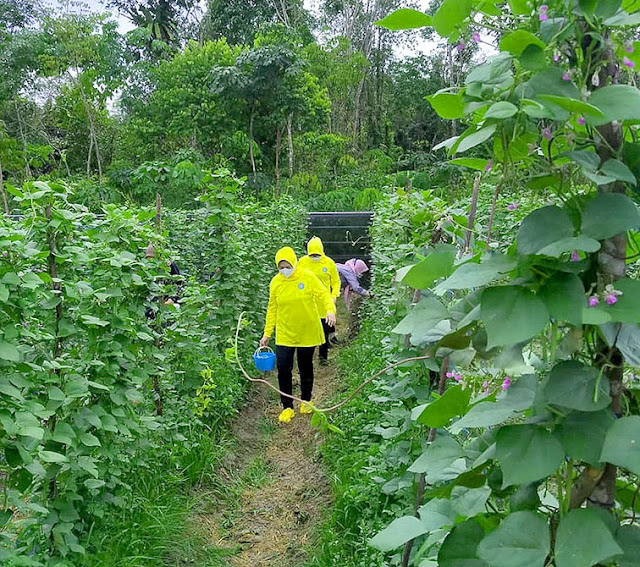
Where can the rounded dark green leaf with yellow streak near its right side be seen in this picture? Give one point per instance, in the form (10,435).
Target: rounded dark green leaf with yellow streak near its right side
(573,385)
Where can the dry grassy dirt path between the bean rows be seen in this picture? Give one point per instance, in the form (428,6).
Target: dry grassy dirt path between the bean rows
(275,489)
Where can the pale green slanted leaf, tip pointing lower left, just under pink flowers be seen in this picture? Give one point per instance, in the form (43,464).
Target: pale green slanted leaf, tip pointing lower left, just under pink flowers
(518,398)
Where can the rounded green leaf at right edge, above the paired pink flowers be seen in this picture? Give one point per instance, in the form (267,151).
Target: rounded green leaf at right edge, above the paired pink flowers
(608,214)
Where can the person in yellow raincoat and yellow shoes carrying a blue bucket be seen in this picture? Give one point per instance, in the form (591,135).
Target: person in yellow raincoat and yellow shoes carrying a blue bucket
(294,296)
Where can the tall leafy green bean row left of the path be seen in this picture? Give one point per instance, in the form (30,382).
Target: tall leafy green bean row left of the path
(106,387)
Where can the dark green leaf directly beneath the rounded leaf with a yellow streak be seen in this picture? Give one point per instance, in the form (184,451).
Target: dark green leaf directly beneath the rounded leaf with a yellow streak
(582,435)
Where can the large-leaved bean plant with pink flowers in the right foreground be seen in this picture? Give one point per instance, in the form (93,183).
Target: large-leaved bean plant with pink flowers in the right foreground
(530,435)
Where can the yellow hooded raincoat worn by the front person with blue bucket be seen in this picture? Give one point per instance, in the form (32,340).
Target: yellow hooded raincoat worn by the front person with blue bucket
(293,305)
